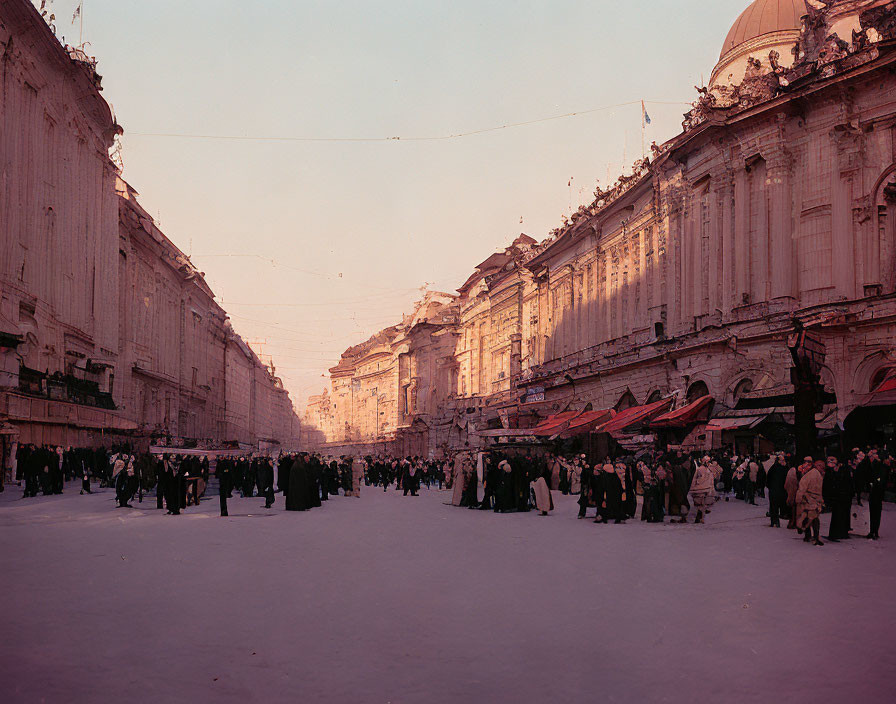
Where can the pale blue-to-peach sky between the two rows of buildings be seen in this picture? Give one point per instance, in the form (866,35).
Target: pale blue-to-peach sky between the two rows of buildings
(334,237)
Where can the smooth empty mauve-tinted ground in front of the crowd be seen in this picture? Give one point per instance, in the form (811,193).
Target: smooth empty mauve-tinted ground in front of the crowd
(394,599)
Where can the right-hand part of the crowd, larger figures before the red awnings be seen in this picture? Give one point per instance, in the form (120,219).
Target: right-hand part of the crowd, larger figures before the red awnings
(675,483)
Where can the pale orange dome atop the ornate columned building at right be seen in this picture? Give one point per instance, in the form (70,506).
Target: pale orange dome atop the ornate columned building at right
(764,26)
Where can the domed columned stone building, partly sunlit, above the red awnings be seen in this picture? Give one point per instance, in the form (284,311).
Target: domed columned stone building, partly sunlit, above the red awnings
(772,210)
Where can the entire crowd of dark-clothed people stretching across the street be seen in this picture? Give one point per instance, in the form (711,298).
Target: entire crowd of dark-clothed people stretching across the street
(656,485)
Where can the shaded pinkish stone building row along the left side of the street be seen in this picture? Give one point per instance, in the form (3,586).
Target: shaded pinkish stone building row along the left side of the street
(107,331)
